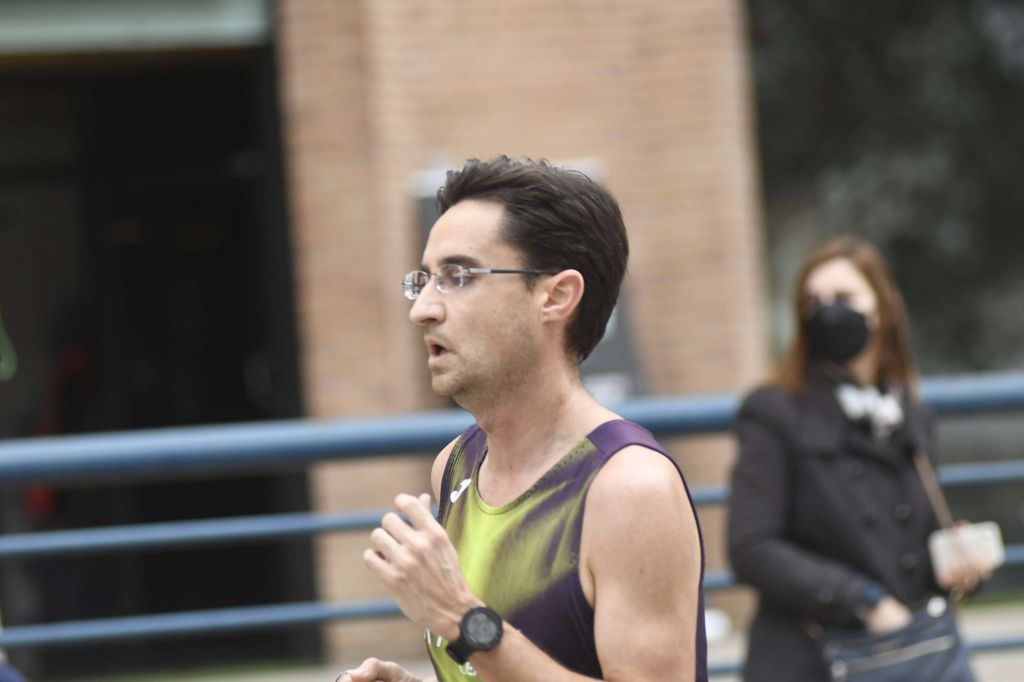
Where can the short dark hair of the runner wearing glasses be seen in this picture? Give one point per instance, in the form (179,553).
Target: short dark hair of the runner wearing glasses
(559,220)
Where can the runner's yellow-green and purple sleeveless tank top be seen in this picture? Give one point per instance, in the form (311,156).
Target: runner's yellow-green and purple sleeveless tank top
(523,559)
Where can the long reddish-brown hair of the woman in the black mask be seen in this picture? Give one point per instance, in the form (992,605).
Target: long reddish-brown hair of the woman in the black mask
(895,363)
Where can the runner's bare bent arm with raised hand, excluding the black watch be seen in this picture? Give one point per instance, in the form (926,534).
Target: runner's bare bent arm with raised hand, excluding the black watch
(642,567)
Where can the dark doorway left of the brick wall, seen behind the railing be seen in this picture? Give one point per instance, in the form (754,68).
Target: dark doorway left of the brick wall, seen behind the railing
(157,292)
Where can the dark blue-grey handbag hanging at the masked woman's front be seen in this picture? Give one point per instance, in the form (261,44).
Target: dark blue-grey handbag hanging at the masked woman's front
(929,650)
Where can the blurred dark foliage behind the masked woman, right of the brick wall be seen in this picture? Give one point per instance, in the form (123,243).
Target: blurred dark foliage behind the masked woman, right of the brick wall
(902,123)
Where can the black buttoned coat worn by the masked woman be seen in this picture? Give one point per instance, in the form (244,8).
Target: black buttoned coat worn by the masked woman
(819,509)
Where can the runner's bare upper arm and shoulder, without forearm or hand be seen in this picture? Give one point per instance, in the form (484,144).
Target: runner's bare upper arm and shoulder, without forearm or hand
(643,546)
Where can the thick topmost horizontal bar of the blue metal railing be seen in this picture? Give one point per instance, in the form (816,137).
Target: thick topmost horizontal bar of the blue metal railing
(292,444)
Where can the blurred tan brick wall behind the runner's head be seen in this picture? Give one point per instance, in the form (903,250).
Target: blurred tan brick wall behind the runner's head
(654,92)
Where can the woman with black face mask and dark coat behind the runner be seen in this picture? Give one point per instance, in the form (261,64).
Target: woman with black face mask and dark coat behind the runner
(829,519)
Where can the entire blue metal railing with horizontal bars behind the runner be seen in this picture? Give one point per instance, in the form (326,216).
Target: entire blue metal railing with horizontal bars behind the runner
(204,450)
